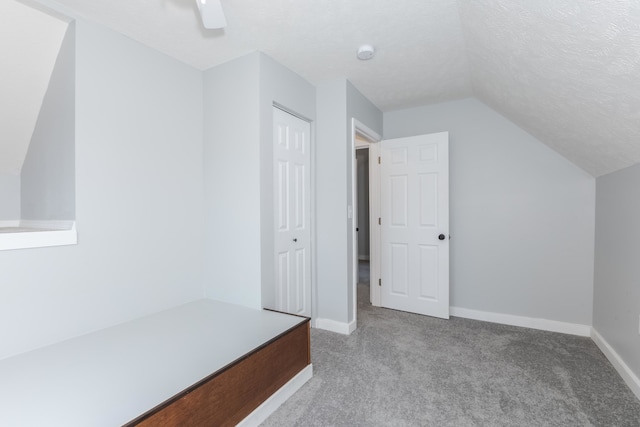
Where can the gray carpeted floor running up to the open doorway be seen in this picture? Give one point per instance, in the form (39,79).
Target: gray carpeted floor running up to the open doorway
(401,369)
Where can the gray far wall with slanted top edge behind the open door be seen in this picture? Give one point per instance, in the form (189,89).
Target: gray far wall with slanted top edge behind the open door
(522,216)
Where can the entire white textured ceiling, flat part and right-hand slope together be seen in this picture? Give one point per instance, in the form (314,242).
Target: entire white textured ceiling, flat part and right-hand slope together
(566,71)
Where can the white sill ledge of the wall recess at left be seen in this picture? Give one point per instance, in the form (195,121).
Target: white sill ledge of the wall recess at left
(37,234)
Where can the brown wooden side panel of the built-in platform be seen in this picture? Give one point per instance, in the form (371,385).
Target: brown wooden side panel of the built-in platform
(229,396)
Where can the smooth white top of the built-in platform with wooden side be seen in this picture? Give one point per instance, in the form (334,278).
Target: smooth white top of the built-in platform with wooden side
(112,376)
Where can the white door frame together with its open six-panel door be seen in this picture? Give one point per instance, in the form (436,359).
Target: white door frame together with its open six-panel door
(408,222)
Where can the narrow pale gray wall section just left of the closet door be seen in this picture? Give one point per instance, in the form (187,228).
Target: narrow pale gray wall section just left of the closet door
(232,181)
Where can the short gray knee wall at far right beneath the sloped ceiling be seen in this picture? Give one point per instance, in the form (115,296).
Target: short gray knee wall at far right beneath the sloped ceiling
(616,305)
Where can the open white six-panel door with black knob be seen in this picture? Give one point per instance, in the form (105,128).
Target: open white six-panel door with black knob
(414,181)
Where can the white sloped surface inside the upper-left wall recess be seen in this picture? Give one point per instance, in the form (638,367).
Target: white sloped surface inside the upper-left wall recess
(29,42)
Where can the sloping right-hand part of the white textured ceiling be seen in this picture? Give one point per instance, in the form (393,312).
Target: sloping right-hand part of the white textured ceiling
(566,71)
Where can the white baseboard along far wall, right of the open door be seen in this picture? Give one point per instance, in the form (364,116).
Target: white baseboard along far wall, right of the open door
(526,322)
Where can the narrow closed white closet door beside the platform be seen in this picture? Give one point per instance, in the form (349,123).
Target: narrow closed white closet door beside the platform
(292,203)
